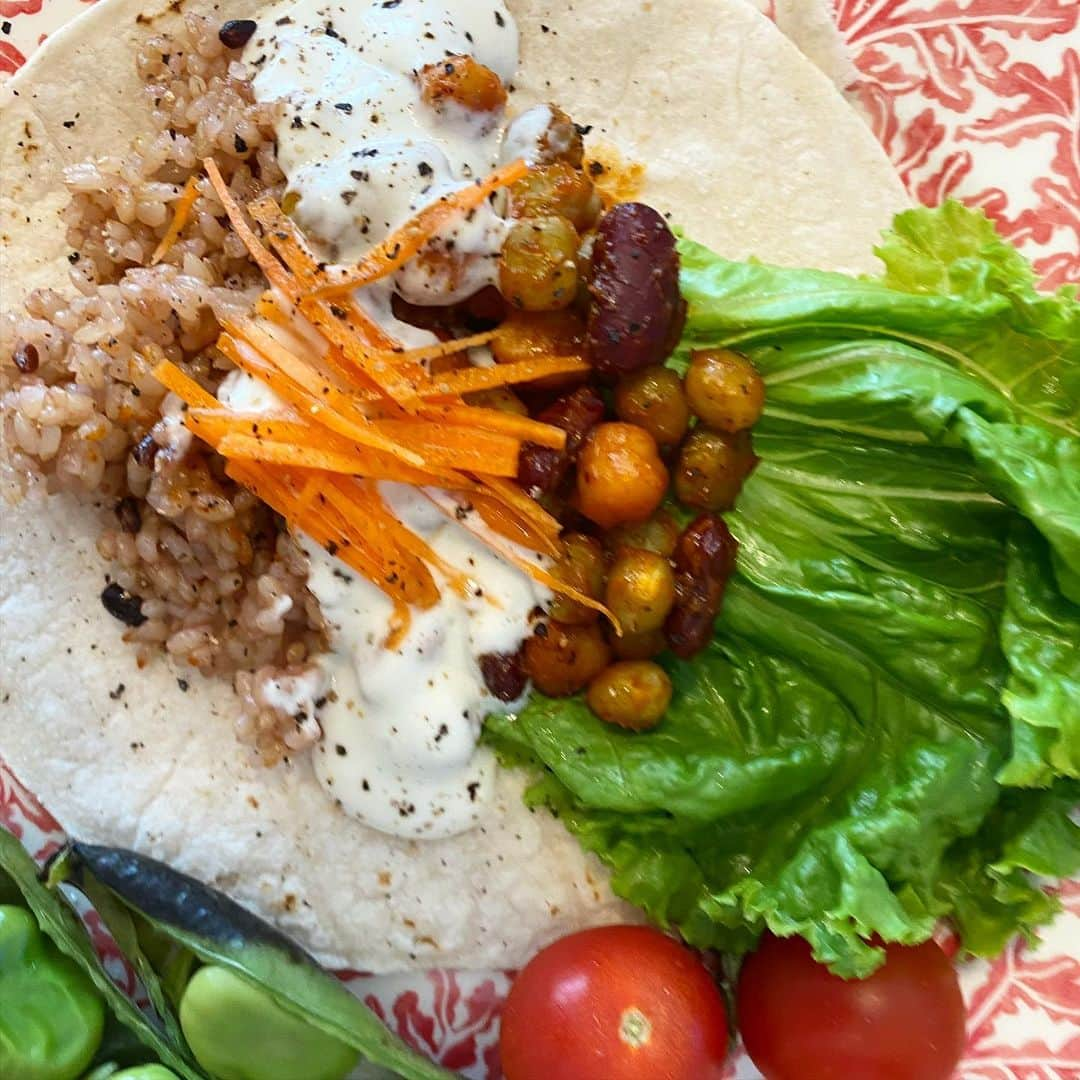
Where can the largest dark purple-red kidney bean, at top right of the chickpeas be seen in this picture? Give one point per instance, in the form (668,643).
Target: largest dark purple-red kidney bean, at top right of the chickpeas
(634,288)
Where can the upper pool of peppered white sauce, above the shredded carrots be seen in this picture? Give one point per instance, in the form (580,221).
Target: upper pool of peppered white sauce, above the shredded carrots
(362,151)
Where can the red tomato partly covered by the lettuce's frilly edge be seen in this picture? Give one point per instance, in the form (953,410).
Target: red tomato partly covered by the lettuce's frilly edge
(801,1022)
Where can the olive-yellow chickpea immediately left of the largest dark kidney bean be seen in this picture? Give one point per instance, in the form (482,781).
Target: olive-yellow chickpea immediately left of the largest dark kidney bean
(538,269)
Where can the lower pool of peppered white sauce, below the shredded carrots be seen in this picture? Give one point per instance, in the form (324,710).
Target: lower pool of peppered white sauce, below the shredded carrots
(399,748)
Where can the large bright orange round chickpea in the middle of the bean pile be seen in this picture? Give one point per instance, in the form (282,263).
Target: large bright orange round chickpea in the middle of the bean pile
(620,475)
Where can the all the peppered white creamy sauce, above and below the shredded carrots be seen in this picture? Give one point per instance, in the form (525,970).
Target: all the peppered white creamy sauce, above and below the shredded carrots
(363,154)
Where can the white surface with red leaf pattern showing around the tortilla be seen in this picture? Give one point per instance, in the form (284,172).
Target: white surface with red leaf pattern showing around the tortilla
(977,100)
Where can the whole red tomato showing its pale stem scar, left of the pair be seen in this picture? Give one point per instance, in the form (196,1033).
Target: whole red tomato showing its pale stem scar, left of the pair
(562,1018)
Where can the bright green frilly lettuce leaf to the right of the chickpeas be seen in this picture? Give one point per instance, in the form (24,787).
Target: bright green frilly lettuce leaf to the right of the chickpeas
(902,638)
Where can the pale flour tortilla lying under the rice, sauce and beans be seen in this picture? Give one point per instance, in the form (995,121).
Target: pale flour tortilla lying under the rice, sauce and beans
(747,145)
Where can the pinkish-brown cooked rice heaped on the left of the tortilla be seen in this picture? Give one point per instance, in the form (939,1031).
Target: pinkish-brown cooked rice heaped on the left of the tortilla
(223,584)
